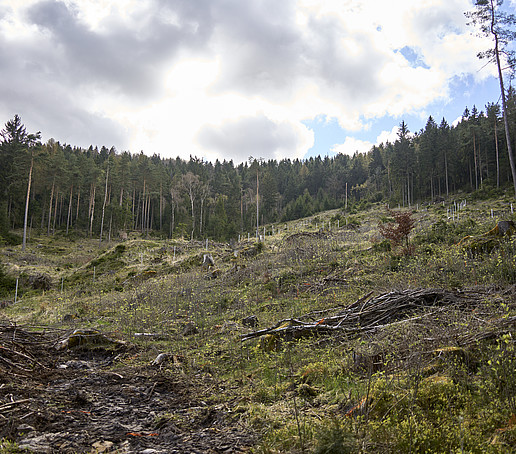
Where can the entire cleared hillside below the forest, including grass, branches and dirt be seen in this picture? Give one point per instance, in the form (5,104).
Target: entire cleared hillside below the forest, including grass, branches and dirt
(385,330)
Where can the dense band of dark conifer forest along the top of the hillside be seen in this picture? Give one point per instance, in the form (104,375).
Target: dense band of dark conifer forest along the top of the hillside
(100,192)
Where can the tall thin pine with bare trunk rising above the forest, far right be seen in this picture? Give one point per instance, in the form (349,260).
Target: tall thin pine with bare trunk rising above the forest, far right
(496,24)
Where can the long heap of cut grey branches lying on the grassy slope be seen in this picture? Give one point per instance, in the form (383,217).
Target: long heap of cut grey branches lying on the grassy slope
(368,314)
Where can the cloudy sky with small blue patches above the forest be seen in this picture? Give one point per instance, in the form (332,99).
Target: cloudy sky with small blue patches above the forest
(231,79)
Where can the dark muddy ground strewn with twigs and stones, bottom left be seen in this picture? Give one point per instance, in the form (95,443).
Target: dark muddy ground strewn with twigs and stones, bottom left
(89,400)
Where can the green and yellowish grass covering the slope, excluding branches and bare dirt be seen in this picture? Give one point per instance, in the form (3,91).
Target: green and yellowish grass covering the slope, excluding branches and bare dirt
(436,393)
